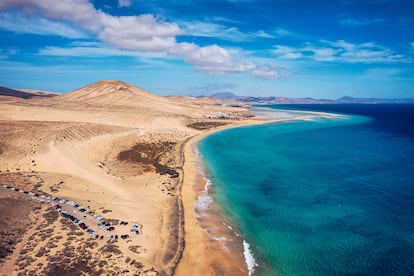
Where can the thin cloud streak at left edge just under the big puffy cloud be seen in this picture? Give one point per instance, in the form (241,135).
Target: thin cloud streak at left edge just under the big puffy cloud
(37,25)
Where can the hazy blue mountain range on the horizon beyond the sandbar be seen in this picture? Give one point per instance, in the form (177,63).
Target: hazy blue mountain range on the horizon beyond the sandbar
(230,97)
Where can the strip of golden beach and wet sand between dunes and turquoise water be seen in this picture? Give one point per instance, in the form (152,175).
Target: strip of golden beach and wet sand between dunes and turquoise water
(211,248)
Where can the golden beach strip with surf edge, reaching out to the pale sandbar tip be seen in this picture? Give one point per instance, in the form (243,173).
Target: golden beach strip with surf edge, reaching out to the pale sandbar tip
(226,252)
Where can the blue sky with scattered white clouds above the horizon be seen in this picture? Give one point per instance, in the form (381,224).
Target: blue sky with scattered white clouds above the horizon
(291,48)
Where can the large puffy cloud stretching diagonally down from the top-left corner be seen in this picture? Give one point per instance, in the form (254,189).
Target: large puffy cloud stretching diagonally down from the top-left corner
(135,33)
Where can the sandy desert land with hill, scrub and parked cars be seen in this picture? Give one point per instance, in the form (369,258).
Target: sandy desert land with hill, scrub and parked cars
(124,157)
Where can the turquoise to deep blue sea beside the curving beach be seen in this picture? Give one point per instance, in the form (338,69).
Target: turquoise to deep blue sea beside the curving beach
(329,196)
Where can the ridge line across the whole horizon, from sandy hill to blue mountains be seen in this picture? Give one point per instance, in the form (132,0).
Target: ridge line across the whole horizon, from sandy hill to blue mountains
(120,93)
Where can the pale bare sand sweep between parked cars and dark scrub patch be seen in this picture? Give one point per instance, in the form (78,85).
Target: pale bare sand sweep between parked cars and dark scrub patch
(89,184)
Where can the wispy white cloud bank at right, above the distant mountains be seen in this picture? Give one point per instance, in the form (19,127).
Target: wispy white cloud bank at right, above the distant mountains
(341,51)
